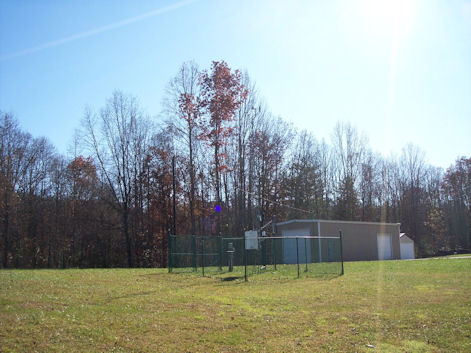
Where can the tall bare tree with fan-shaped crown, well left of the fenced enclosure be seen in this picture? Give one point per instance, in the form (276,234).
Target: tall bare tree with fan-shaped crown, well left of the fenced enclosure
(116,138)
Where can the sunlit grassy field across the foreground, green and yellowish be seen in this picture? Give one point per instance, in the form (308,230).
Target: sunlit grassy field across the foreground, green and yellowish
(393,306)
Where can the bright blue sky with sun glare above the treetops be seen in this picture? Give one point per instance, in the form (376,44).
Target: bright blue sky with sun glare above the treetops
(399,71)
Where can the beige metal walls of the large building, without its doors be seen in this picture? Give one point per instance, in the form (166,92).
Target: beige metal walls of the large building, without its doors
(359,239)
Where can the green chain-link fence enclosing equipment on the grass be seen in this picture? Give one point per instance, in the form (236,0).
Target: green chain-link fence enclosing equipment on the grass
(282,256)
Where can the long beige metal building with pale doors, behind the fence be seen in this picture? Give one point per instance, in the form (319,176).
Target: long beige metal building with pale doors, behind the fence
(360,240)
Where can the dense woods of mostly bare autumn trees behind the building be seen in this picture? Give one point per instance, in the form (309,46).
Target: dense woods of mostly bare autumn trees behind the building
(221,163)
